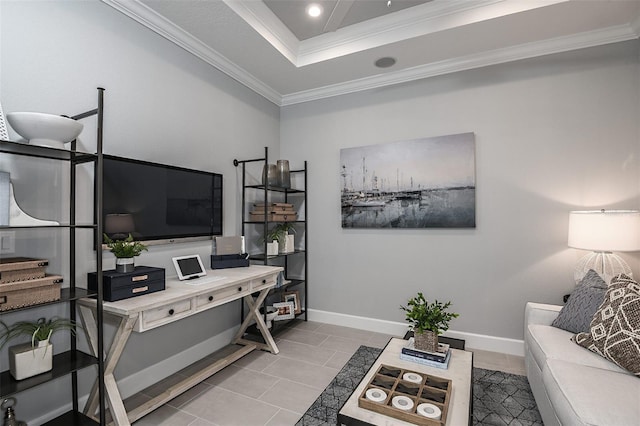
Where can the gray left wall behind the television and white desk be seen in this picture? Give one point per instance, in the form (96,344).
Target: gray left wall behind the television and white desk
(161,104)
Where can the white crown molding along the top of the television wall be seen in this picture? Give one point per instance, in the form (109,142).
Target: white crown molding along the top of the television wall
(157,23)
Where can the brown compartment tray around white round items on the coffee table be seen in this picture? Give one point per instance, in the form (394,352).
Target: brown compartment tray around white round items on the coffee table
(431,389)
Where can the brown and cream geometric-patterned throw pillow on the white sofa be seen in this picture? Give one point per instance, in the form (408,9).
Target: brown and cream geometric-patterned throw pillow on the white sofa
(615,330)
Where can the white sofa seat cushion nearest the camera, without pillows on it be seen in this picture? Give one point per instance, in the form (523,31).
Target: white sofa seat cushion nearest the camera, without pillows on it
(582,395)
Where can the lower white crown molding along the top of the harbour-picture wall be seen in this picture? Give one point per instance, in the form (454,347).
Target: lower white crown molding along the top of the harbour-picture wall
(484,59)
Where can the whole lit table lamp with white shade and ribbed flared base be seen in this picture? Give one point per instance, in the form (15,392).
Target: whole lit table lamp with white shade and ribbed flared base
(603,232)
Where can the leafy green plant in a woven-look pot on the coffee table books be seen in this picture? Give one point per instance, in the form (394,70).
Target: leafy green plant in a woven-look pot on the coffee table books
(427,320)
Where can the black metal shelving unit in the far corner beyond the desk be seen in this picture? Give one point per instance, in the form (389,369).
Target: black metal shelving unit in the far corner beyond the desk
(266,193)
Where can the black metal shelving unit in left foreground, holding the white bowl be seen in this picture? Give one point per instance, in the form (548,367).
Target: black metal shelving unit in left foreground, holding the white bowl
(73,360)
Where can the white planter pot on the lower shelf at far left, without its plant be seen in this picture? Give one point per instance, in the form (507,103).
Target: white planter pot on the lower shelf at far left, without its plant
(26,361)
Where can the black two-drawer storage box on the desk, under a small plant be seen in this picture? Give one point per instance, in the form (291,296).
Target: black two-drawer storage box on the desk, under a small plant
(123,285)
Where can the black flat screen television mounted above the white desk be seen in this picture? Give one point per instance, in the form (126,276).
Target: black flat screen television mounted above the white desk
(159,202)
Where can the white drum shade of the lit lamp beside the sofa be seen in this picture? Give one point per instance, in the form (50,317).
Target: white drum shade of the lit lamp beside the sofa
(605,230)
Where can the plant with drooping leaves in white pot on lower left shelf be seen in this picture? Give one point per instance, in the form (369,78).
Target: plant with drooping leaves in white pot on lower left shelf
(29,359)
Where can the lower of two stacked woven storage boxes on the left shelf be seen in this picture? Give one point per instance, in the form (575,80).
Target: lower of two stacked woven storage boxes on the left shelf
(27,293)
